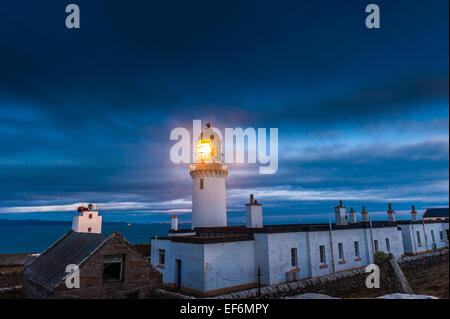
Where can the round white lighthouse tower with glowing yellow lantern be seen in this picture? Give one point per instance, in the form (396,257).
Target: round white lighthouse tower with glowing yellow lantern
(208,174)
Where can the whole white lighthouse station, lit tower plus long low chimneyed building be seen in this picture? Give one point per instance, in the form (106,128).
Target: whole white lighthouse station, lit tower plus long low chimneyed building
(212,258)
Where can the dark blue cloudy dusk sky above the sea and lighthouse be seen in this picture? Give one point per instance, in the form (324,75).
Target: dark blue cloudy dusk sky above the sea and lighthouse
(85,115)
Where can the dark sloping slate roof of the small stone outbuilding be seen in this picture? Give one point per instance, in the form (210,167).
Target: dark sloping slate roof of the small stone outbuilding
(49,269)
